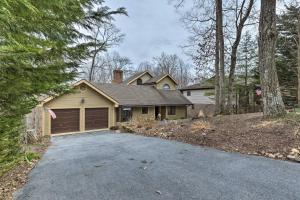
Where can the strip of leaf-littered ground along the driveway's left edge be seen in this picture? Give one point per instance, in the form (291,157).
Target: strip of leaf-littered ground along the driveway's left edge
(17,177)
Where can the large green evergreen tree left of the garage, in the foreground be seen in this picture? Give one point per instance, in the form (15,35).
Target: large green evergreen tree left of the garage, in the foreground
(42,44)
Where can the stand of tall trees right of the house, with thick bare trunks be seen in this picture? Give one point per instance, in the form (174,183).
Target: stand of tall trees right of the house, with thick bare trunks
(236,55)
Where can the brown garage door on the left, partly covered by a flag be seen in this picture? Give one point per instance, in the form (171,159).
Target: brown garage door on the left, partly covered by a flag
(67,120)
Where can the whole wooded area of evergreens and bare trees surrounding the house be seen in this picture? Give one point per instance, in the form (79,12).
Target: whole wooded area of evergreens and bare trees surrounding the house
(244,47)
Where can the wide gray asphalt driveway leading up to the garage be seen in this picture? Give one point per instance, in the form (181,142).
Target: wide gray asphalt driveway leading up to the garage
(109,166)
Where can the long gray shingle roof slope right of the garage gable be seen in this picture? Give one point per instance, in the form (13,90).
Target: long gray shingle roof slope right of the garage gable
(142,95)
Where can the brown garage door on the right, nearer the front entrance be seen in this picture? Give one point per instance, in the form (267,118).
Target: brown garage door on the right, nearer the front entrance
(96,118)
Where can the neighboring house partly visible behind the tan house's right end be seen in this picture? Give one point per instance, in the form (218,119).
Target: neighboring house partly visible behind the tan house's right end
(201,95)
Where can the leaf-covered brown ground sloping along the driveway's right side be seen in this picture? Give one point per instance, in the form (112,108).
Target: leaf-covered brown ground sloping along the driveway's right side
(245,133)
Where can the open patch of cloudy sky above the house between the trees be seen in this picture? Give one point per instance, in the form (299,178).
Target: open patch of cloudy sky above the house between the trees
(153,26)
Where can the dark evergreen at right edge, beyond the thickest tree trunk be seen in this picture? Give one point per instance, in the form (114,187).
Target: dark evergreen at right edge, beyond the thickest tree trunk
(287,53)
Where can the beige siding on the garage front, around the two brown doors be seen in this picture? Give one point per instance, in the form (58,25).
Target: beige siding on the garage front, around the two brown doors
(91,98)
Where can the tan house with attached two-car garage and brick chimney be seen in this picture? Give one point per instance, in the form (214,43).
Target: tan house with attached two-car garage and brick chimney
(95,106)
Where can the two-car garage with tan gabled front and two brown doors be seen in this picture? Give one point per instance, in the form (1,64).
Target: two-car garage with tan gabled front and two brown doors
(85,109)
